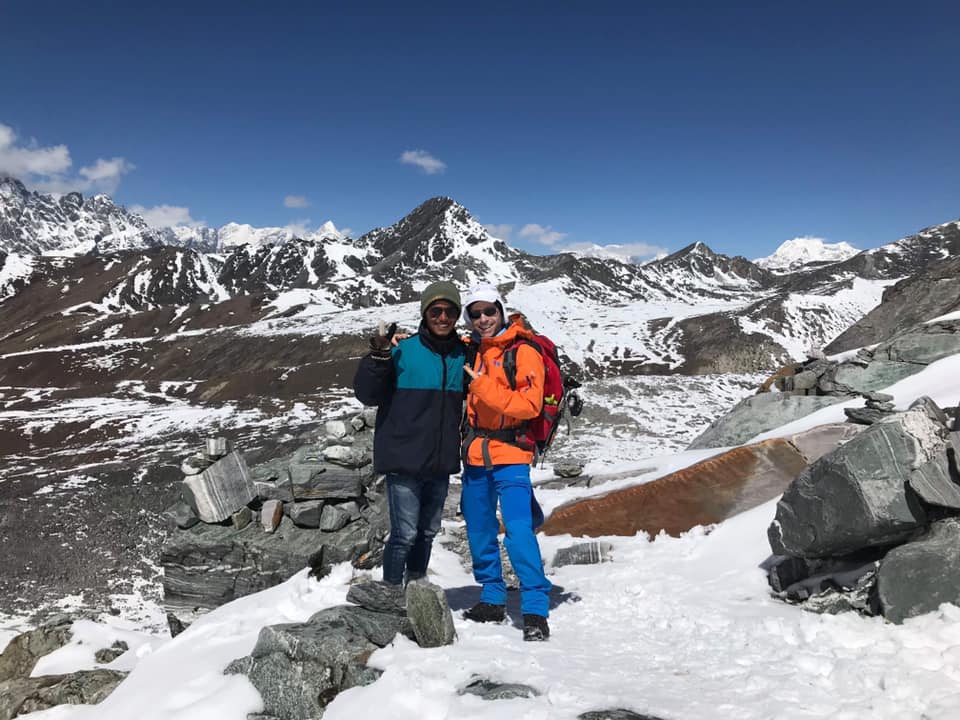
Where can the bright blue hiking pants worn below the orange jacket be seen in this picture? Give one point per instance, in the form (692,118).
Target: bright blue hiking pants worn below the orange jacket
(510,484)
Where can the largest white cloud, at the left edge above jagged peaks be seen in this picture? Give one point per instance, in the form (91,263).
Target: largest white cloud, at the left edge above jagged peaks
(48,168)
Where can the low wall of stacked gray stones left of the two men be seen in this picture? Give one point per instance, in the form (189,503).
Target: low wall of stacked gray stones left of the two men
(237,530)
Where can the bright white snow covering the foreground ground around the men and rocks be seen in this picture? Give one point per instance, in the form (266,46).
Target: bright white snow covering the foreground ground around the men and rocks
(675,627)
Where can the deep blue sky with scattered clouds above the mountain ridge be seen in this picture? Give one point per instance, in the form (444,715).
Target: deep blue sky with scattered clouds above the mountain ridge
(645,124)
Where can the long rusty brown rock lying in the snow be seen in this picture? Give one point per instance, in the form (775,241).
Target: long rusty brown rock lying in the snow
(702,494)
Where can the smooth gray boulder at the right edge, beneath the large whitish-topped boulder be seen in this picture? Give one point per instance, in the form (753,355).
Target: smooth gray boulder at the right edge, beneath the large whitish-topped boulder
(915,578)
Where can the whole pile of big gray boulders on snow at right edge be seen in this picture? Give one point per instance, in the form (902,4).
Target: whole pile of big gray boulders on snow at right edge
(874,526)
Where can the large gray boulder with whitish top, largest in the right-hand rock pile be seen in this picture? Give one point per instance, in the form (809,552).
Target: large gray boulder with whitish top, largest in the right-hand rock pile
(857,496)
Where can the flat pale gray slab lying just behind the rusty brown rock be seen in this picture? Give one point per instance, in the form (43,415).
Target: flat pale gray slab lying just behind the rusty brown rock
(756,414)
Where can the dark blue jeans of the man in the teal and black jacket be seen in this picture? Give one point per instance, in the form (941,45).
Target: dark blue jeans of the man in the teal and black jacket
(416,507)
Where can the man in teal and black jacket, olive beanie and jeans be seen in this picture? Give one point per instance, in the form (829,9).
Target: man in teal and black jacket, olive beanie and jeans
(417,387)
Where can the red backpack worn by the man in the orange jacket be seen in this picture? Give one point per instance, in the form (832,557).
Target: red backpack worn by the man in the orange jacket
(559,394)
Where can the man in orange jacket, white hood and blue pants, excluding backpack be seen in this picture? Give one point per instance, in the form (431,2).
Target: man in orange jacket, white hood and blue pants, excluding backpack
(497,468)
